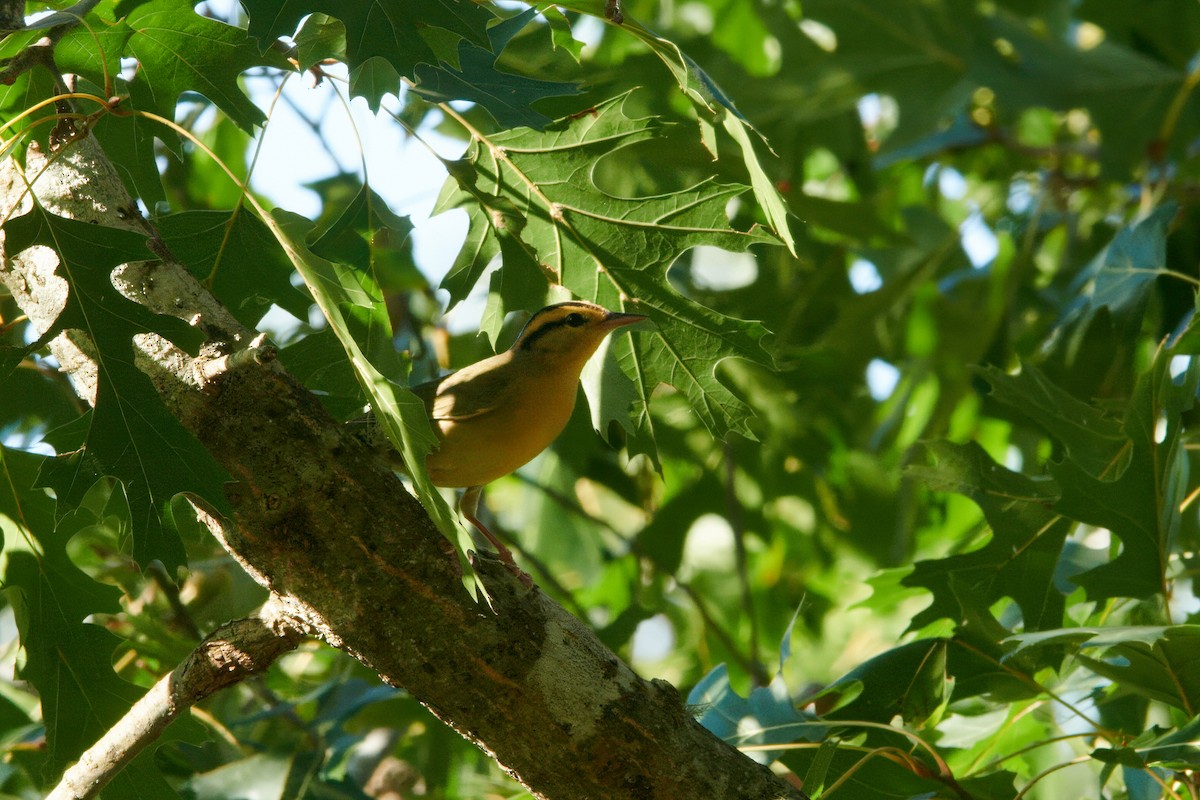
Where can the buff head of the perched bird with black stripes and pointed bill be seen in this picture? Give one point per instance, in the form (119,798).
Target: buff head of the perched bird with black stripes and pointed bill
(569,332)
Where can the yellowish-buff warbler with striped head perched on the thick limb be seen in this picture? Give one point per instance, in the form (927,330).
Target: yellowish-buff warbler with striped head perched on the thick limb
(497,414)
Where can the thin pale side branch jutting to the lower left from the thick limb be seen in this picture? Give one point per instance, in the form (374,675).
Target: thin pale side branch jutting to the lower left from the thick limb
(232,654)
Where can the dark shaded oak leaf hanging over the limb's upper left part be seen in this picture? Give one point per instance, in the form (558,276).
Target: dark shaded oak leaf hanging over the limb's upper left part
(130,435)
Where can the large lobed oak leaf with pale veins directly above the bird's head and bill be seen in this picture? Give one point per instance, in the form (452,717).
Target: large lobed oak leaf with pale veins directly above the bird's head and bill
(538,189)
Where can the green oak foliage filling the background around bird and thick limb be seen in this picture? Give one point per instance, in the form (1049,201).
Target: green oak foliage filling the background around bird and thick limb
(974,584)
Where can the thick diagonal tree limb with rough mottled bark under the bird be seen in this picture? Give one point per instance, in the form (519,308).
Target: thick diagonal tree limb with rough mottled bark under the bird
(329,530)
